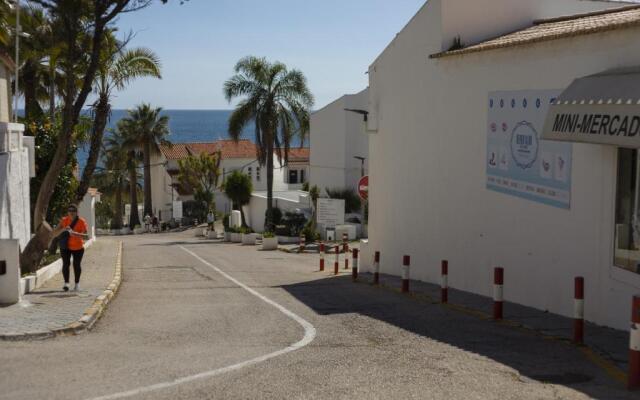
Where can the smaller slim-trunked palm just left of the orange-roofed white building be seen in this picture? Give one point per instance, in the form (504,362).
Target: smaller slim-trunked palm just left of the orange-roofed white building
(147,130)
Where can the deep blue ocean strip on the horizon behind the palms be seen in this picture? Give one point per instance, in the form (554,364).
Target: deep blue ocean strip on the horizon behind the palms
(186,126)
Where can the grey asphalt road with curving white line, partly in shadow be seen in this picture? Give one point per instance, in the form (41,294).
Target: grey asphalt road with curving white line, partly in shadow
(197,319)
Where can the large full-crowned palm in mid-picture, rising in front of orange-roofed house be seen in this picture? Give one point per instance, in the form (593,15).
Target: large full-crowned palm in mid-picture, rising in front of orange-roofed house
(277,101)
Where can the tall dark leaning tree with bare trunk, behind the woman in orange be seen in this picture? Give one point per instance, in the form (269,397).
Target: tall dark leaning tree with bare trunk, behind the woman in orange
(82,26)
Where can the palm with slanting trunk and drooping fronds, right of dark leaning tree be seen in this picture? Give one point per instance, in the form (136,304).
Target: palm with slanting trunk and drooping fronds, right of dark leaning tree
(117,69)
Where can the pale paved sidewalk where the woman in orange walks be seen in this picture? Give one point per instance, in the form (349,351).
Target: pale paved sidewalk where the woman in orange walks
(49,310)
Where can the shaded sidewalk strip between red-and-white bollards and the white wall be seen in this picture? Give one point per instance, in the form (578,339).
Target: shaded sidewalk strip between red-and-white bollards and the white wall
(609,345)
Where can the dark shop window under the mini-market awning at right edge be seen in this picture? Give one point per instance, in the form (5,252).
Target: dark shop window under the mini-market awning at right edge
(627,227)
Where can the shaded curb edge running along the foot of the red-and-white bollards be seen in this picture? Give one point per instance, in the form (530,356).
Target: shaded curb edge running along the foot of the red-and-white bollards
(613,371)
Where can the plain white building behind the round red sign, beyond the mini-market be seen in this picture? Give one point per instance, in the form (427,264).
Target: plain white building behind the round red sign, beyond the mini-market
(337,137)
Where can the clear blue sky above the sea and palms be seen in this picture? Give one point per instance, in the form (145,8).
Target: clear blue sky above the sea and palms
(331,41)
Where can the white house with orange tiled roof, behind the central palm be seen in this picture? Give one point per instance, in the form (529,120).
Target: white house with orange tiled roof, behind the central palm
(235,156)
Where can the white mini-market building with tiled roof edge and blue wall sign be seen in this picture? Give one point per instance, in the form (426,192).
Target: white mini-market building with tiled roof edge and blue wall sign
(458,169)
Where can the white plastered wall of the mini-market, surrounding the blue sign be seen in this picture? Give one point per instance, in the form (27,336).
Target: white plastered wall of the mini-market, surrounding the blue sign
(432,118)
